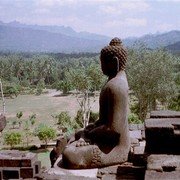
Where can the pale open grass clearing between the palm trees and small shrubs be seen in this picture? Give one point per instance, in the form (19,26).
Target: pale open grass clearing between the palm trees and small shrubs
(44,106)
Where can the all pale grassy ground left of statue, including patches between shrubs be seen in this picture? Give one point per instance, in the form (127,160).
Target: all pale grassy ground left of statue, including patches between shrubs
(44,106)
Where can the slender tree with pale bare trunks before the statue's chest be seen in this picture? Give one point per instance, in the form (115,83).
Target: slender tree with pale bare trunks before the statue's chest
(86,81)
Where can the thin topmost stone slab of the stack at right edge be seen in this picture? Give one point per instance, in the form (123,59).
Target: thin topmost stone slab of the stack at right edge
(165,114)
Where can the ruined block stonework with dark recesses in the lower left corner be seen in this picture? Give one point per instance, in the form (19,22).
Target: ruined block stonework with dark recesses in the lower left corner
(17,164)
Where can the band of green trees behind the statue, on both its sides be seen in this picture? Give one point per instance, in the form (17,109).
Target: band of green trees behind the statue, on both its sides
(153,77)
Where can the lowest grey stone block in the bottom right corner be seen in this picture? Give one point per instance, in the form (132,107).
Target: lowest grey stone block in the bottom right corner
(154,175)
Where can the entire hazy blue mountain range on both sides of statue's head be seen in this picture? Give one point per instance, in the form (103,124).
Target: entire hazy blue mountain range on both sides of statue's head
(15,36)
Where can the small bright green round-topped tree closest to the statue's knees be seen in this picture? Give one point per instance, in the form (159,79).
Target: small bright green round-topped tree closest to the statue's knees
(45,133)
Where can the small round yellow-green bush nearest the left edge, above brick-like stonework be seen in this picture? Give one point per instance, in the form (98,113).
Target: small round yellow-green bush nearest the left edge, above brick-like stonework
(12,138)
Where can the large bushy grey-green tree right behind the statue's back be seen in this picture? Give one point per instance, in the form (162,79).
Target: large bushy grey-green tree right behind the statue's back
(150,77)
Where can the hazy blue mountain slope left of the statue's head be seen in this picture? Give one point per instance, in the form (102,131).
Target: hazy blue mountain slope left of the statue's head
(34,40)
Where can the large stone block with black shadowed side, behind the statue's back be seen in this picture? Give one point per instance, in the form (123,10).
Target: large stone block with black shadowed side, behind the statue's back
(162,135)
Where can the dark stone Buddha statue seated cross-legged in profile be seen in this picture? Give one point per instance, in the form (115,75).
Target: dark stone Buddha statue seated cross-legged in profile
(105,142)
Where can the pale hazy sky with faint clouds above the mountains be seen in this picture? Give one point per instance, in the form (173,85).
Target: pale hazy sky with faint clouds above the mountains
(120,18)
